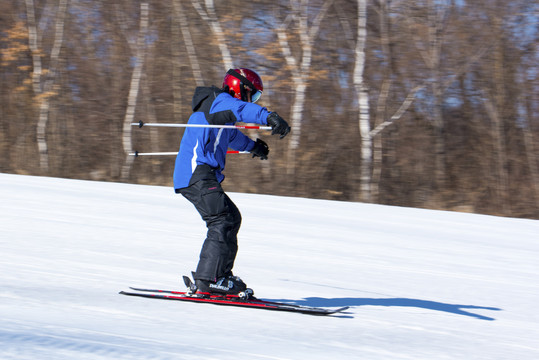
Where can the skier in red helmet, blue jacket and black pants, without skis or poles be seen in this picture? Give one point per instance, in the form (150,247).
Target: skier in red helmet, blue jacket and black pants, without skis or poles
(199,166)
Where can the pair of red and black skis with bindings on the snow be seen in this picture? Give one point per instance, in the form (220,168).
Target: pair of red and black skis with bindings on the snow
(246,300)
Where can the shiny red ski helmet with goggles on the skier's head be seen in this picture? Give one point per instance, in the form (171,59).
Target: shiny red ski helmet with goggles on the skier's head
(243,84)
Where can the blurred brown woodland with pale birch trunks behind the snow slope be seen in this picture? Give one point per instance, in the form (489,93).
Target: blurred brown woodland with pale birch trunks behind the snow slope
(423,103)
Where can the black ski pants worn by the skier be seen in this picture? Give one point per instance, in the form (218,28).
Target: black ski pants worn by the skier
(223,221)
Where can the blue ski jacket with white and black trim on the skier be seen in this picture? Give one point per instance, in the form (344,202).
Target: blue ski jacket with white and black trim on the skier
(208,146)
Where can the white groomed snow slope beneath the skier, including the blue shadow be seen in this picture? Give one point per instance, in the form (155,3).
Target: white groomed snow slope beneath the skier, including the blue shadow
(421,284)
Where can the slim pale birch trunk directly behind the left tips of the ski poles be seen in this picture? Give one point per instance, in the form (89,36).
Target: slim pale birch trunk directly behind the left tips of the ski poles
(133,91)
